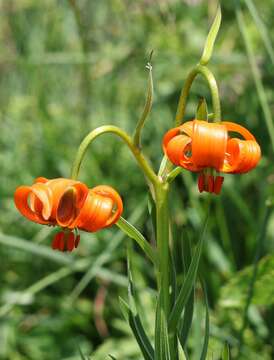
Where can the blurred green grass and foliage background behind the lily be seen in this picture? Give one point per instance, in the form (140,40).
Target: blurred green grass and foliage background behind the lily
(68,66)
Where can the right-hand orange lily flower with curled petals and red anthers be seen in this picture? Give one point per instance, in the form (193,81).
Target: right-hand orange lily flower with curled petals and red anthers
(204,147)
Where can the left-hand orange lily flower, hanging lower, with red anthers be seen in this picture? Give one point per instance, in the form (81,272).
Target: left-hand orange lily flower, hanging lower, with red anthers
(70,205)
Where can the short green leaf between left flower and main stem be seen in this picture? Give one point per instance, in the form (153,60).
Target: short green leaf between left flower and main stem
(134,234)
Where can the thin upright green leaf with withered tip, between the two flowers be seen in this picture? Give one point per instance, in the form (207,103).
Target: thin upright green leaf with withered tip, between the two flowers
(147,108)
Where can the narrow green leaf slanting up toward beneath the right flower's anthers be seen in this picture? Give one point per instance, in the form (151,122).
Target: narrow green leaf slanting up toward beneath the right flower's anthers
(188,284)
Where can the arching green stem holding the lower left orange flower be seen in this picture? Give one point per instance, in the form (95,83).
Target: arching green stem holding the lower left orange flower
(144,165)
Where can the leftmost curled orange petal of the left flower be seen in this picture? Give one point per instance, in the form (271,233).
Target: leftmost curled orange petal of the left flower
(34,202)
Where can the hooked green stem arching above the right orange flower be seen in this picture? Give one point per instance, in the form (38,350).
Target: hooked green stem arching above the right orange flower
(209,77)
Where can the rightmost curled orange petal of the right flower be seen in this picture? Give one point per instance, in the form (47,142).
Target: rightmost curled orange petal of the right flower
(242,156)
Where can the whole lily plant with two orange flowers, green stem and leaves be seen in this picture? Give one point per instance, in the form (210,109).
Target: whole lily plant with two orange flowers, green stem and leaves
(205,145)
